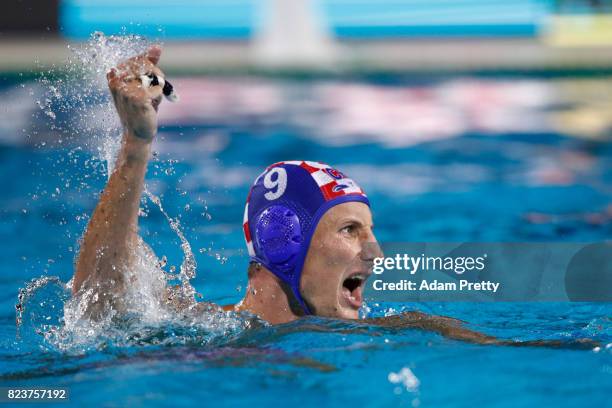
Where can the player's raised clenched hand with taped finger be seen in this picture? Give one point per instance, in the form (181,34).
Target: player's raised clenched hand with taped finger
(137,103)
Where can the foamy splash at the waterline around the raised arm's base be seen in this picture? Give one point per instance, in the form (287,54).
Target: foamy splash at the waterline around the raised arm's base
(144,318)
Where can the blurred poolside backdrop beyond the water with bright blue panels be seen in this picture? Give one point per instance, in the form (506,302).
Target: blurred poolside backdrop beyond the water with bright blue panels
(342,34)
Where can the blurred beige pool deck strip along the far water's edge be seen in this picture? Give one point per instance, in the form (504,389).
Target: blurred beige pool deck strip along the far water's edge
(456,55)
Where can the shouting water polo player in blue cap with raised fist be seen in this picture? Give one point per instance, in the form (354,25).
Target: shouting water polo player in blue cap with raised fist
(308,228)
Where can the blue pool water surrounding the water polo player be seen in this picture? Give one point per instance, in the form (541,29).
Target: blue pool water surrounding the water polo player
(440,162)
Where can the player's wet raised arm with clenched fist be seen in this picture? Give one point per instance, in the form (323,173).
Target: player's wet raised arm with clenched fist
(108,245)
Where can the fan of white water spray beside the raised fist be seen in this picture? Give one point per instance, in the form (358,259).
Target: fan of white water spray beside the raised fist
(76,96)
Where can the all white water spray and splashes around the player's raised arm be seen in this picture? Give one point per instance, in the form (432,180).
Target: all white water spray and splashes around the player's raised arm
(78,106)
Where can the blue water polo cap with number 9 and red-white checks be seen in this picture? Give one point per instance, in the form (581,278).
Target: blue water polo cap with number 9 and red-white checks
(283,209)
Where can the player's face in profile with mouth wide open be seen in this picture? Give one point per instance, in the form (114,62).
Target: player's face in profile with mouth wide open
(339,261)
